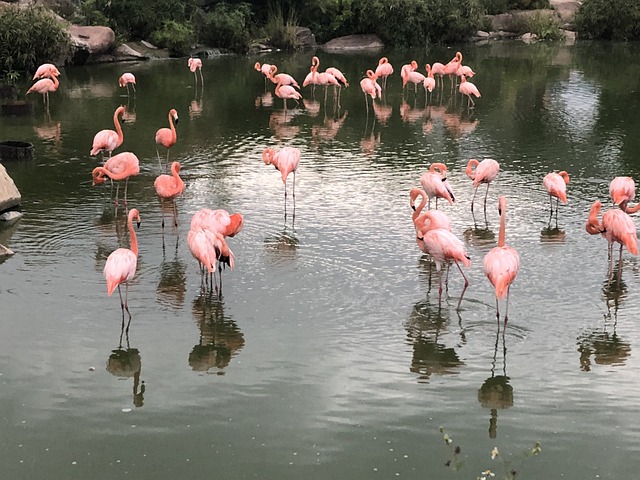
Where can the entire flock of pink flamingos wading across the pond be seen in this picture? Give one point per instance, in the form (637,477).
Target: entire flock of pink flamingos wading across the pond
(210,229)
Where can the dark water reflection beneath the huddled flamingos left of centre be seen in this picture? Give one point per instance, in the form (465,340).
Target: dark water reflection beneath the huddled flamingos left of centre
(220,338)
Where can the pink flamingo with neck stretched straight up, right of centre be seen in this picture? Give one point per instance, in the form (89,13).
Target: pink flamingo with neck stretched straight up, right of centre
(501,263)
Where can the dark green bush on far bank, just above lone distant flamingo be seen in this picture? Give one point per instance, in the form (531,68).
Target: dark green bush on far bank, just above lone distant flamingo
(226,26)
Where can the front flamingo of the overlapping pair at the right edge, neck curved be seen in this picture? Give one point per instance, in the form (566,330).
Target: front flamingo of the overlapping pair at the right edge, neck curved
(616,226)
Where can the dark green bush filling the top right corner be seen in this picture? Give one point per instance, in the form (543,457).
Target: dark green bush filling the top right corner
(603,19)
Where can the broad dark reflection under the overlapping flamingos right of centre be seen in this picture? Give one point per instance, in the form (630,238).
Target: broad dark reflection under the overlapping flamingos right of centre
(430,356)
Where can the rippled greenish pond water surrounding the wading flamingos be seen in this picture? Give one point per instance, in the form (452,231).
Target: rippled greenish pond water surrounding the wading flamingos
(328,354)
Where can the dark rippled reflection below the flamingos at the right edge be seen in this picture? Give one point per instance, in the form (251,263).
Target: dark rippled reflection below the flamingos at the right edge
(606,347)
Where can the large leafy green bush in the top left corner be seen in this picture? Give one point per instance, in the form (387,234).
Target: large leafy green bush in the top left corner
(29,37)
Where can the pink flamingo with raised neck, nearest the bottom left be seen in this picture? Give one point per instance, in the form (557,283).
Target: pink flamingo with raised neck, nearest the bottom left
(121,263)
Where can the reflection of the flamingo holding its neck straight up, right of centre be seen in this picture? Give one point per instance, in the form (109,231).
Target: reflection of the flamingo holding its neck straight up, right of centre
(496,392)
